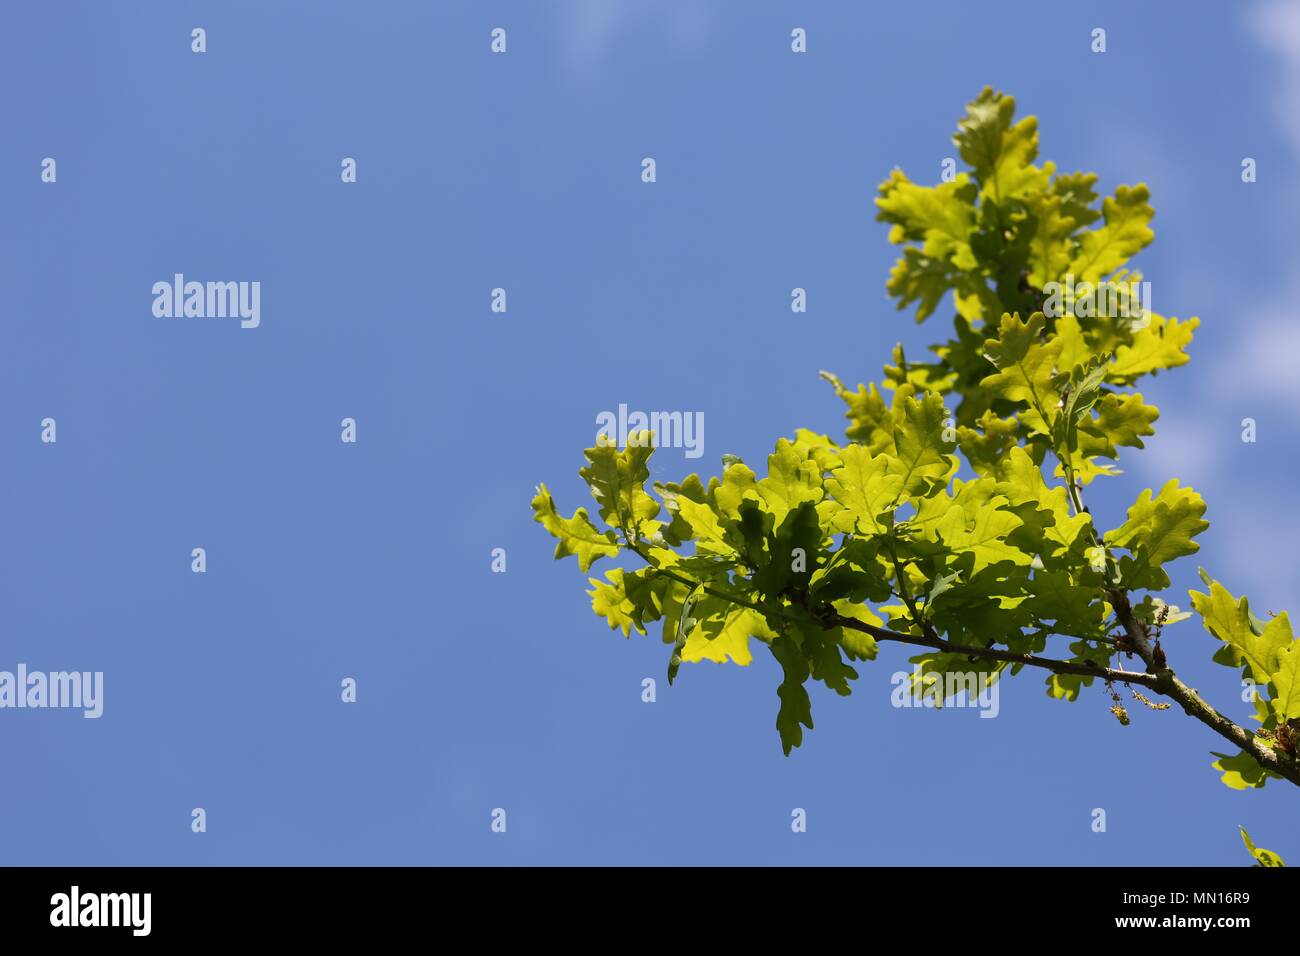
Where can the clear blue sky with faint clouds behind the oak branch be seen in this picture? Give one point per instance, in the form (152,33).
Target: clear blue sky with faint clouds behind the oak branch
(480,690)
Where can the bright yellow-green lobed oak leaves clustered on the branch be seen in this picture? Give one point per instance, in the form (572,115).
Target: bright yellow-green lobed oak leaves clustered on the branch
(954,507)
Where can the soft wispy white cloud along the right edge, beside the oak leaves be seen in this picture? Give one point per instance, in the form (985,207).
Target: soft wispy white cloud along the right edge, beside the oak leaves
(1255,375)
